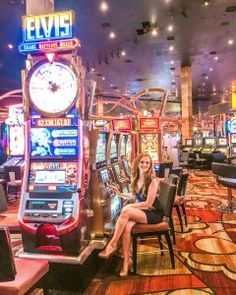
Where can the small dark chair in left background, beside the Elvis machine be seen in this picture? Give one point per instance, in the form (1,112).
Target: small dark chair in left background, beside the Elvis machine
(13,177)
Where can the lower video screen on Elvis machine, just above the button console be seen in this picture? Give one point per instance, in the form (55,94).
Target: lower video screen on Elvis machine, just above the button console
(51,176)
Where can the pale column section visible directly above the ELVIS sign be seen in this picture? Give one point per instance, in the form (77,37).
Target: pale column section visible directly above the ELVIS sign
(36,7)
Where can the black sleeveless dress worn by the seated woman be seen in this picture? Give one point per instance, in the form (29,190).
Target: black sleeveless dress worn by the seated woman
(154,214)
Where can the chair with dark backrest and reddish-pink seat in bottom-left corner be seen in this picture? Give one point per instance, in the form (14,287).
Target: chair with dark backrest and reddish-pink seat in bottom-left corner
(19,276)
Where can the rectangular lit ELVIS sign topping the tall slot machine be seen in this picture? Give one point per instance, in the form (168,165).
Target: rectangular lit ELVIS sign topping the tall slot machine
(47,27)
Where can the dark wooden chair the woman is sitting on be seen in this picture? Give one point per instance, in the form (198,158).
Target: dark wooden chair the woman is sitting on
(166,198)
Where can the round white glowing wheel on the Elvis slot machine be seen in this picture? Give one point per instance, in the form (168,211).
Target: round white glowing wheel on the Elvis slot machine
(51,88)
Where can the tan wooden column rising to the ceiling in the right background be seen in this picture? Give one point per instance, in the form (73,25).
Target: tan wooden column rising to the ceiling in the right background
(186,103)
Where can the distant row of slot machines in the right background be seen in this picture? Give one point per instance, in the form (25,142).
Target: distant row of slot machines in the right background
(210,145)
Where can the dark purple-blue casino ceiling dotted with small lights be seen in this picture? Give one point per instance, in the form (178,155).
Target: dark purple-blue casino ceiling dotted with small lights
(200,35)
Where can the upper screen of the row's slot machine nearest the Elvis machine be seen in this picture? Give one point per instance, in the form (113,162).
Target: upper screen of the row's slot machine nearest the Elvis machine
(101,150)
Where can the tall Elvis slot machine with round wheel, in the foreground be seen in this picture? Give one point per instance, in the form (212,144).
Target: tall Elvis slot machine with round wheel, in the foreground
(52,210)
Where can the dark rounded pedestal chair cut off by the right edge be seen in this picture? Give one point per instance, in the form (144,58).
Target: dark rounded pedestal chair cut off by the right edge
(226,176)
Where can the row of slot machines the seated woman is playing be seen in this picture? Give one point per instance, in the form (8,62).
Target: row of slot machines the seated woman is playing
(110,157)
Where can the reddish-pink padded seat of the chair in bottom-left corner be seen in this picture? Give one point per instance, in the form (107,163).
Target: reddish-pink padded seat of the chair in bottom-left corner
(28,273)
